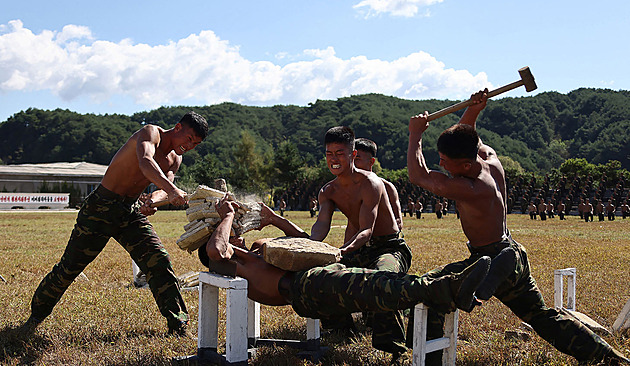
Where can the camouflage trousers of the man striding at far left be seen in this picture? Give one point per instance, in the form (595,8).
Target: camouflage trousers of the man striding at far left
(102,216)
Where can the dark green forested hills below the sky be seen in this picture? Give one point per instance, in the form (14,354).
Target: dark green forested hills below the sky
(539,132)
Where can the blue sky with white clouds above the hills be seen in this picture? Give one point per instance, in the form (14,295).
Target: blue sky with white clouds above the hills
(130,56)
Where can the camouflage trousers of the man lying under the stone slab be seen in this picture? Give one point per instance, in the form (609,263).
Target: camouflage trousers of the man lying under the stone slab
(322,292)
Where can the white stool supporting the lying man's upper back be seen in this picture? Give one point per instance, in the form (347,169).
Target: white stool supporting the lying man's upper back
(242,323)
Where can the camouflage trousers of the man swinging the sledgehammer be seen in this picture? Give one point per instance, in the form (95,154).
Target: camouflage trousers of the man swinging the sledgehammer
(520,294)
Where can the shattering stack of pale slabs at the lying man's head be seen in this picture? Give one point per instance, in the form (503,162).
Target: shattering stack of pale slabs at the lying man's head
(203,217)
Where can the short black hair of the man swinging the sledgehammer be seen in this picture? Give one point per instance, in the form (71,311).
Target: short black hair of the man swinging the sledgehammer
(459,141)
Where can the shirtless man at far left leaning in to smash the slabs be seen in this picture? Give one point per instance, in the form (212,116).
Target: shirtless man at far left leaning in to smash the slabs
(151,155)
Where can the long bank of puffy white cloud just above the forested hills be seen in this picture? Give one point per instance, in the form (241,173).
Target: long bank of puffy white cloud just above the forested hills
(204,68)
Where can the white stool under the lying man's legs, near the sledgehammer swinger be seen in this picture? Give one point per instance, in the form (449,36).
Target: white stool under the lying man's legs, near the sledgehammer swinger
(448,343)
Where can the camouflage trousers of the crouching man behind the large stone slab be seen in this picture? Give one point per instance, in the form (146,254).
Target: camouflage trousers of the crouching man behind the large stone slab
(383,254)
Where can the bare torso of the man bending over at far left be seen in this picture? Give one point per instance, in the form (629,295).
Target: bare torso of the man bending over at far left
(124,177)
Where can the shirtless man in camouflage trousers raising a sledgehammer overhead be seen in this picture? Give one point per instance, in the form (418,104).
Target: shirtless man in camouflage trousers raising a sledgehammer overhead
(477,184)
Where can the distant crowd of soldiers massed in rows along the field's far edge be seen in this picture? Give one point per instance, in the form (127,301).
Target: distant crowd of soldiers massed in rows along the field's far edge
(584,196)
